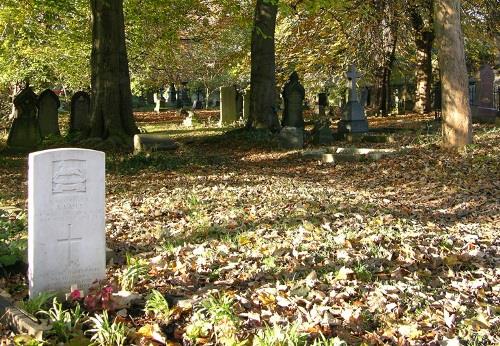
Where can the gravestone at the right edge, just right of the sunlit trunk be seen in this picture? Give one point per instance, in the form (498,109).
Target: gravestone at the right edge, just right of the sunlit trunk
(485,111)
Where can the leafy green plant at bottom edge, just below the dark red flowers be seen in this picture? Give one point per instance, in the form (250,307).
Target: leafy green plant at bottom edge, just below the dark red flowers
(106,333)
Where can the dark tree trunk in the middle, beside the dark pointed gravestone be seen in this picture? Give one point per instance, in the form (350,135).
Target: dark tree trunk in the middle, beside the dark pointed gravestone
(263,112)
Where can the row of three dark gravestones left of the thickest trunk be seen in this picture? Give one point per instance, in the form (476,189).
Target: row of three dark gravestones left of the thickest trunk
(36,117)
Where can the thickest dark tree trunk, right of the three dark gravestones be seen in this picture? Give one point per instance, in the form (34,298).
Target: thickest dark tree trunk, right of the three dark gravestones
(112,116)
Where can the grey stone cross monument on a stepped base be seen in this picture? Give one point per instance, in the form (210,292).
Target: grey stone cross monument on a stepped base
(353,115)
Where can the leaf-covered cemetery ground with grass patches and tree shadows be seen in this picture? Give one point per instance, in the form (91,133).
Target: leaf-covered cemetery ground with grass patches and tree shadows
(250,244)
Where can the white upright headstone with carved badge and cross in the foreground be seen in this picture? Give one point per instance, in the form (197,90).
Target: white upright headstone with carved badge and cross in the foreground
(66,231)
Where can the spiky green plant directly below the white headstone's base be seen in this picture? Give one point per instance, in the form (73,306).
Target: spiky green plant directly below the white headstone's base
(64,322)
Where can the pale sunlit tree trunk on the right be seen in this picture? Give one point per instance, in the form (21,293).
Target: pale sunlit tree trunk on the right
(457,122)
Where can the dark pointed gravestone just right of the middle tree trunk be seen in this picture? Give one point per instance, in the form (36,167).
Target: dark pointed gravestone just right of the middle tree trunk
(293,96)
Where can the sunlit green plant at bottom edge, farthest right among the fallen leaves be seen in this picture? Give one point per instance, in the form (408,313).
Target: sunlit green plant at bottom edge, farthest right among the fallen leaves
(280,336)
